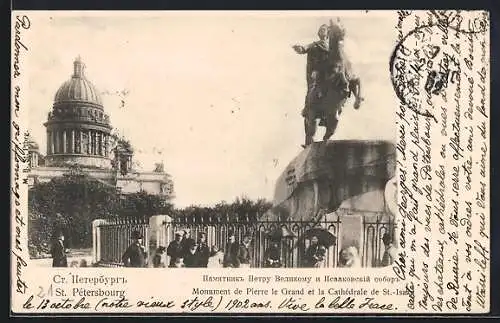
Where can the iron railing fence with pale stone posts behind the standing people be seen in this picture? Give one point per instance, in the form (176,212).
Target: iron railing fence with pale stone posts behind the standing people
(112,237)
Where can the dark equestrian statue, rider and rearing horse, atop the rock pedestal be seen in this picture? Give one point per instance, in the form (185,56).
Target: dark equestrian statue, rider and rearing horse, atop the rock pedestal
(330,81)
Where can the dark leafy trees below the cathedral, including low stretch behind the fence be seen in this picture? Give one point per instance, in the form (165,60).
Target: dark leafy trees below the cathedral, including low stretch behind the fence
(70,204)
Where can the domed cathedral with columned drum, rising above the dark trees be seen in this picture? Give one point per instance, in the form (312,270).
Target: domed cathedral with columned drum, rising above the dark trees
(79,140)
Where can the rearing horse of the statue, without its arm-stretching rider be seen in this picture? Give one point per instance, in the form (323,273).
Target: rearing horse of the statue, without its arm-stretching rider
(326,100)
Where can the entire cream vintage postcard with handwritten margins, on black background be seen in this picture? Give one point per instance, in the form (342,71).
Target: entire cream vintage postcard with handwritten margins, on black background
(342,143)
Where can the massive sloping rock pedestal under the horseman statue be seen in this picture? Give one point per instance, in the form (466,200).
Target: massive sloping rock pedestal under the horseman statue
(324,175)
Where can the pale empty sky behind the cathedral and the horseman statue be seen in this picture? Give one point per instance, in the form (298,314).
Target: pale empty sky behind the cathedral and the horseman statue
(215,96)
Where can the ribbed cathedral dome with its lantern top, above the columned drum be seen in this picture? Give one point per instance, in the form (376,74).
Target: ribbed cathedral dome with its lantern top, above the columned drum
(78,88)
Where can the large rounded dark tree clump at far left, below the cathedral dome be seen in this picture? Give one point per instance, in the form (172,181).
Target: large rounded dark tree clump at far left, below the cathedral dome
(69,204)
